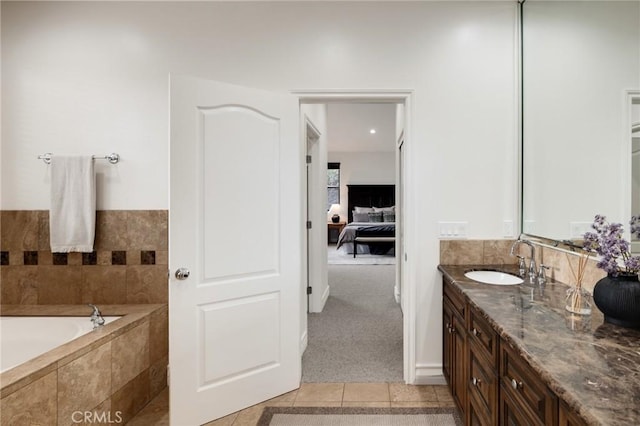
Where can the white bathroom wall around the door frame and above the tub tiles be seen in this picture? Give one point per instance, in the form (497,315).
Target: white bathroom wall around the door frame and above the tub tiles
(91,77)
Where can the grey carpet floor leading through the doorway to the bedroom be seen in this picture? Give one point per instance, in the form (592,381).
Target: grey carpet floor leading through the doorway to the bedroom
(358,336)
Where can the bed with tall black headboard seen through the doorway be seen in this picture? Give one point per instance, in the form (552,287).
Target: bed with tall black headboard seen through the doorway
(376,237)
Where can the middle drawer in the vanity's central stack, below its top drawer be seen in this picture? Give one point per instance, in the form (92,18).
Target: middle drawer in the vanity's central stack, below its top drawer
(482,382)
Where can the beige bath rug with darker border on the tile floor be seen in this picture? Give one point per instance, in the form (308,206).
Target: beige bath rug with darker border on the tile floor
(326,416)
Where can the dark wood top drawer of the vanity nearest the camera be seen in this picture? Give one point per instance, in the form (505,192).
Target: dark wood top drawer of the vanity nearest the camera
(523,385)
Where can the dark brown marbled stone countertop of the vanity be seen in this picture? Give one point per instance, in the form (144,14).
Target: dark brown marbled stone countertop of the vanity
(593,366)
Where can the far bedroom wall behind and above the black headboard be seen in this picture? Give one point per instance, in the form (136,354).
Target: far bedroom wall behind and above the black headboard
(363,168)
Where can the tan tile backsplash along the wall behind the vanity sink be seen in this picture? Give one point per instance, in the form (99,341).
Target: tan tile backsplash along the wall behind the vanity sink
(496,252)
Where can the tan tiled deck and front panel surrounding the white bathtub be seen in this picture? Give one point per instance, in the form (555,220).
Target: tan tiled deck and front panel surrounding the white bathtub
(114,371)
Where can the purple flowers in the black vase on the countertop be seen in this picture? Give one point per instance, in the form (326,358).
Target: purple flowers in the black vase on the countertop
(614,250)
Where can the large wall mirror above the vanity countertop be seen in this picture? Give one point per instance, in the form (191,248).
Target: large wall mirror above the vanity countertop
(581,115)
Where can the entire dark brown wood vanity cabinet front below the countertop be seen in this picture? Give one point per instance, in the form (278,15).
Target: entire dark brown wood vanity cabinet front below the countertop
(489,380)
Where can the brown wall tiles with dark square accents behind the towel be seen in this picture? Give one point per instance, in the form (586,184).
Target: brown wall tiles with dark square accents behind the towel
(129,264)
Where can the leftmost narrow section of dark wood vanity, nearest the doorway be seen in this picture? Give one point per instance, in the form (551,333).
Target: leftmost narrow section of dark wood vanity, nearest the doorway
(454,343)
